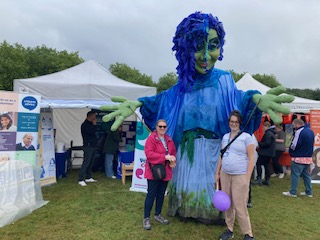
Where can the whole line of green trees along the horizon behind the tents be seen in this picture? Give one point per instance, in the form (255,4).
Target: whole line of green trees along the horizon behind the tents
(18,62)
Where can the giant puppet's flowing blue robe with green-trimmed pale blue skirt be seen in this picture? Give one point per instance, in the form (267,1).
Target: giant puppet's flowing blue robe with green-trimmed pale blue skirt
(207,107)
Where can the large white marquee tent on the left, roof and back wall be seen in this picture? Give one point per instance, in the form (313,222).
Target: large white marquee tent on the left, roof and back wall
(72,91)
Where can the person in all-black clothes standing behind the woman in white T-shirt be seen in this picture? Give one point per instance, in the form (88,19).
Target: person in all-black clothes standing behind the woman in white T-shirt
(266,151)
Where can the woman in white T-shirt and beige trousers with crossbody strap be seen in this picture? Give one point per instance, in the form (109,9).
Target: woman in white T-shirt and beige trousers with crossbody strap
(234,173)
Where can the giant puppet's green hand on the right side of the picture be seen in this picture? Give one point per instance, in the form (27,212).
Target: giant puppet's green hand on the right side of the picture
(271,103)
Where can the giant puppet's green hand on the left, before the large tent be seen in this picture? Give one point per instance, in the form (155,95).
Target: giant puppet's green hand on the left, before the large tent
(121,111)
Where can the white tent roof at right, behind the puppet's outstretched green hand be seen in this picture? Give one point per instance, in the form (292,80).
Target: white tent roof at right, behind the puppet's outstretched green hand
(247,82)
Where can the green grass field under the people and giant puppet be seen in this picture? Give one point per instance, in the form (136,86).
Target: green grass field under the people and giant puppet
(108,210)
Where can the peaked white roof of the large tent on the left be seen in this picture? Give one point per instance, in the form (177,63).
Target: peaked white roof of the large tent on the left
(86,81)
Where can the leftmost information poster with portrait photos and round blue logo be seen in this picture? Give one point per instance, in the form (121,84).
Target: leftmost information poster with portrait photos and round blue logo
(19,118)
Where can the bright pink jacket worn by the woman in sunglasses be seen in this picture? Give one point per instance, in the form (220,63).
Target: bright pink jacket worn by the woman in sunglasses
(156,153)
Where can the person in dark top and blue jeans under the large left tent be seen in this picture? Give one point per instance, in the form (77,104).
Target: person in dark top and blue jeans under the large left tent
(110,149)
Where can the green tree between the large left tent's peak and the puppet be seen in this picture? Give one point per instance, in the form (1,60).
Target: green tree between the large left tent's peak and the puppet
(123,71)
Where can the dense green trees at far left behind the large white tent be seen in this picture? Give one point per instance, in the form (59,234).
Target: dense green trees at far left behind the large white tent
(17,62)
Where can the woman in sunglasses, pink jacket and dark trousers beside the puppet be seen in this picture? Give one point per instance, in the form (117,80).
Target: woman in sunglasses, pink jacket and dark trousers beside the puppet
(159,149)
